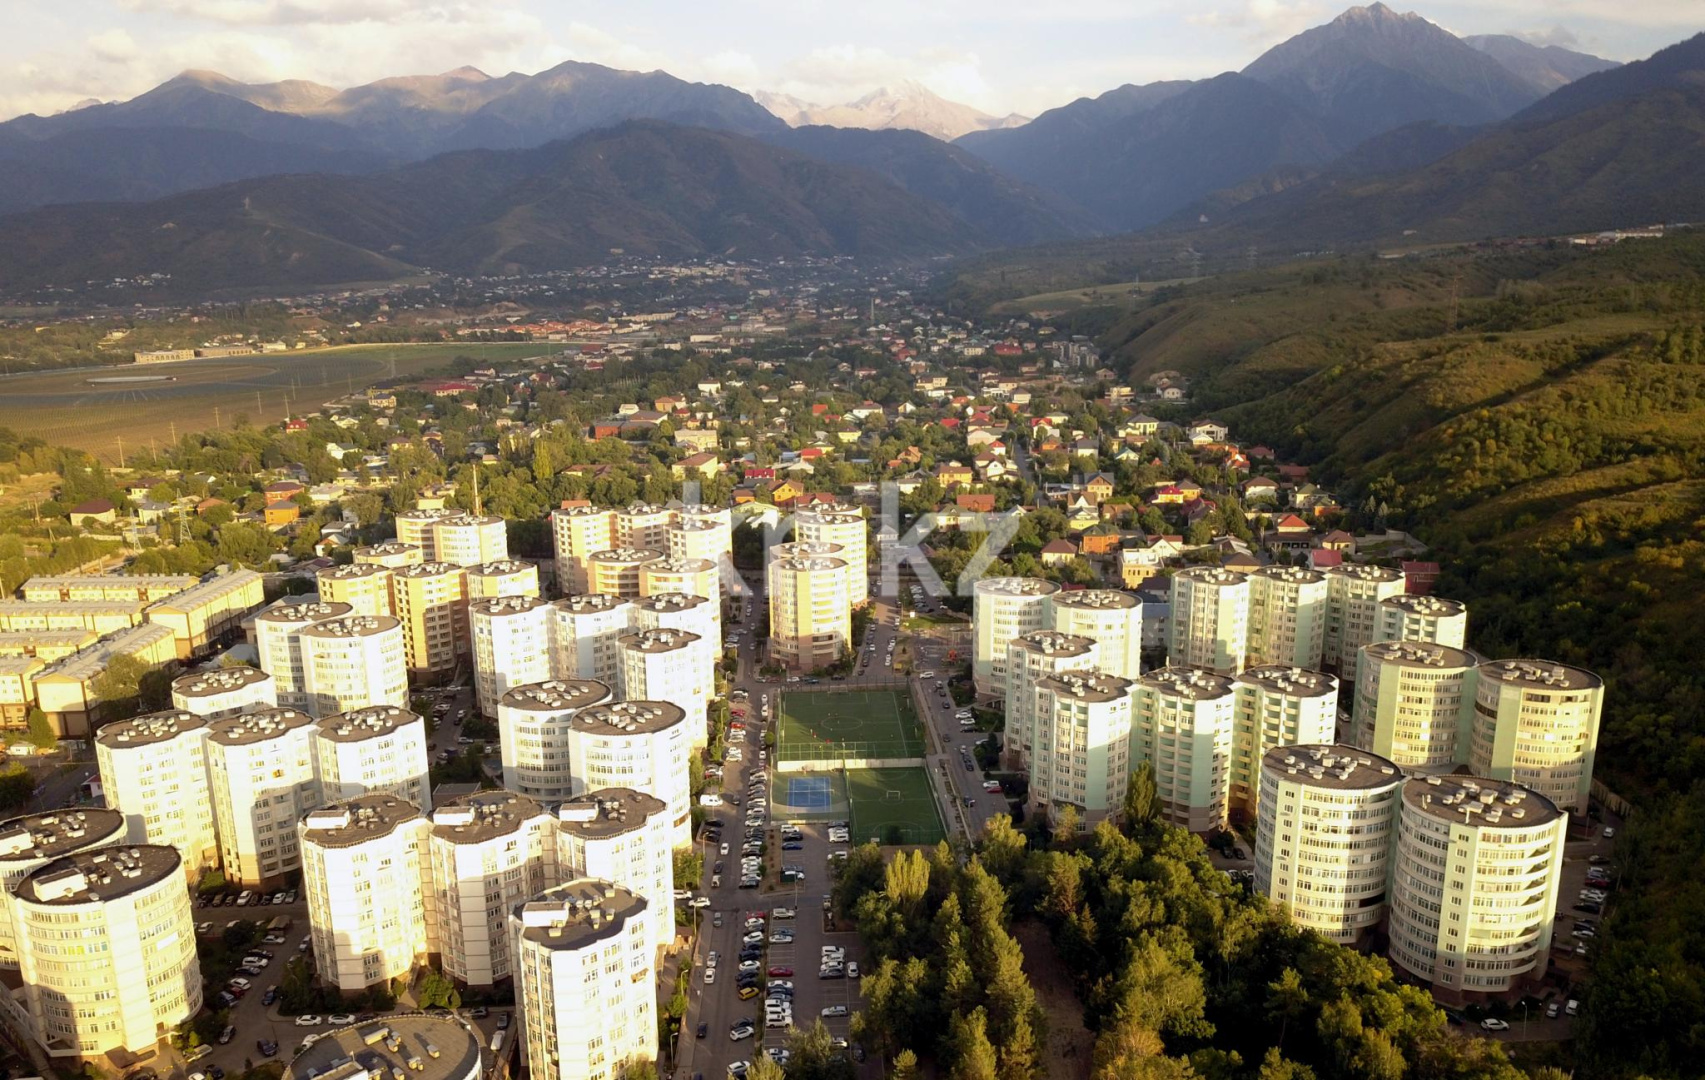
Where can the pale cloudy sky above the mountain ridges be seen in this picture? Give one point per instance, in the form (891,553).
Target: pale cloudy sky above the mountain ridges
(997,55)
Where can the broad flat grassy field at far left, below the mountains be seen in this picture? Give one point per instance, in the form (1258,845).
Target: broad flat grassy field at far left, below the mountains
(200,395)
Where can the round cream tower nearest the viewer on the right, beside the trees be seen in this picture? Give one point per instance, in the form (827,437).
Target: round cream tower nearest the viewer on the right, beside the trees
(1474,886)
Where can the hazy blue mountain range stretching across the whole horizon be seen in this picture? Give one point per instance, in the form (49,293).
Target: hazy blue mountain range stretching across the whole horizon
(1370,127)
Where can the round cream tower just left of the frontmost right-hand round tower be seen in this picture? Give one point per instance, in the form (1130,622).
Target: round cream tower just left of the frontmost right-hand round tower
(1324,837)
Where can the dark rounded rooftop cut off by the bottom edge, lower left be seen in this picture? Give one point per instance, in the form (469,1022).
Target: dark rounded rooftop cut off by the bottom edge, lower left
(412,1045)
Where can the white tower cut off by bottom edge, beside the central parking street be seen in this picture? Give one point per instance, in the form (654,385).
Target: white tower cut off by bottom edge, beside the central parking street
(586,982)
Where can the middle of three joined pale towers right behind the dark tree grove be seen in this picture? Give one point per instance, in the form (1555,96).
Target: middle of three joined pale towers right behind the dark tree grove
(1182,723)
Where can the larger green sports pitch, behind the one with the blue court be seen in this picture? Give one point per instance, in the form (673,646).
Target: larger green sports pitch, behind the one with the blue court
(824,726)
